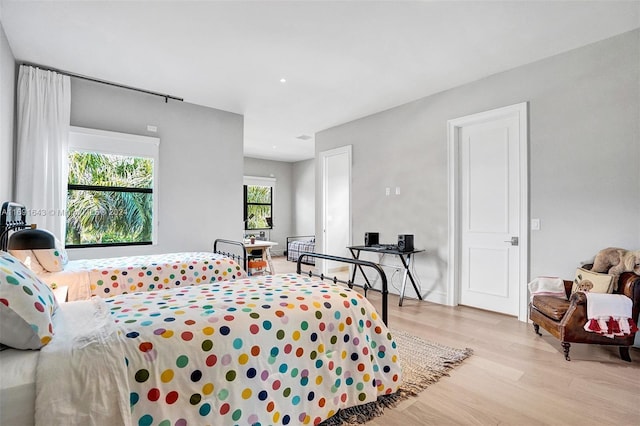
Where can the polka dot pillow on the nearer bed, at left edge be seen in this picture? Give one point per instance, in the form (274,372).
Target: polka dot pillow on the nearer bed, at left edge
(26,306)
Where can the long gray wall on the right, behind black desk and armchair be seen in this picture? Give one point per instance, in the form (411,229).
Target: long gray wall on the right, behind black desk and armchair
(584,151)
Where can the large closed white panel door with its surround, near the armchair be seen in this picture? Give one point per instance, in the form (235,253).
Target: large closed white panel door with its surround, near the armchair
(491,222)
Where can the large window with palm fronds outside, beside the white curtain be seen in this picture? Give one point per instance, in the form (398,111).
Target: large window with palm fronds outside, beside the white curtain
(110,195)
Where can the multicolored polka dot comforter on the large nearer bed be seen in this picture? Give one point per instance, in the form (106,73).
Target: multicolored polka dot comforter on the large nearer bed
(266,350)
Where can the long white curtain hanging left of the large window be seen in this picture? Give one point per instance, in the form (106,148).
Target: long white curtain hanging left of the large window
(44,113)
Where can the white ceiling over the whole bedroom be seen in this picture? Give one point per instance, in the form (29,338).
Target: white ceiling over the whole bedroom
(342,60)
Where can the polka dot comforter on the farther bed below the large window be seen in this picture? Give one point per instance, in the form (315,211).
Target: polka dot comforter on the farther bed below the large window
(108,277)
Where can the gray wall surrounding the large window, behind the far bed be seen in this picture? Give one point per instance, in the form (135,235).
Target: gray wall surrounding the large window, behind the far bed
(200,164)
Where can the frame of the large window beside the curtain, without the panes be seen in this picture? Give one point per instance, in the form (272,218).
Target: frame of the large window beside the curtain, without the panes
(83,139)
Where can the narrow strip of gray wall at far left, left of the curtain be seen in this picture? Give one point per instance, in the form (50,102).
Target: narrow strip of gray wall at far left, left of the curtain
(7,101)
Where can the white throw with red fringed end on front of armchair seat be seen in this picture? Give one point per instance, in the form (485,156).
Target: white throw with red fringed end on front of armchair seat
(609,315)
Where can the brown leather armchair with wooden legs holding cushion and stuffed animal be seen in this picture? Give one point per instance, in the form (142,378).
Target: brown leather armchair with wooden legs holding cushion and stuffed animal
(565,319)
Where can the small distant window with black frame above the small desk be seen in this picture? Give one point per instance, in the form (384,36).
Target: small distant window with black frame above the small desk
(258,202)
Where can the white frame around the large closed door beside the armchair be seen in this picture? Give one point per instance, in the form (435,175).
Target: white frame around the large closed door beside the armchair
(454,199)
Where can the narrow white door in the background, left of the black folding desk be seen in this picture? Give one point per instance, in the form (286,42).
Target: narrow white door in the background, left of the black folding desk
(336,196)
